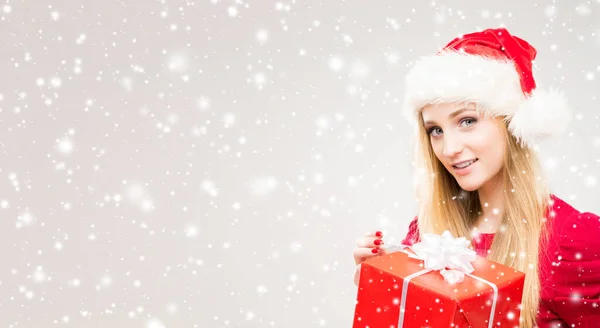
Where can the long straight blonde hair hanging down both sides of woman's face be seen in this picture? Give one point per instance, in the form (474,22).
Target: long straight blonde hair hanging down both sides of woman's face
(443,205)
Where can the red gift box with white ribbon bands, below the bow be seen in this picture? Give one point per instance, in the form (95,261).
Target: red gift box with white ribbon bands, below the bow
(390,282)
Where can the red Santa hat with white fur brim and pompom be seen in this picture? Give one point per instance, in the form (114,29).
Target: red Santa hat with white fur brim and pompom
(493,69)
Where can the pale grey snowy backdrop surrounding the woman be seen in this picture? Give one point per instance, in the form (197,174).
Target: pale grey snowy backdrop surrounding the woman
(211,163)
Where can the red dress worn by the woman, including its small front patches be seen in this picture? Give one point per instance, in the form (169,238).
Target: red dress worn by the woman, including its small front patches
(569,267)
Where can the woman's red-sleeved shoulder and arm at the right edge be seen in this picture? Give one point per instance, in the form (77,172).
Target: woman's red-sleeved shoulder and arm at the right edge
(573,264)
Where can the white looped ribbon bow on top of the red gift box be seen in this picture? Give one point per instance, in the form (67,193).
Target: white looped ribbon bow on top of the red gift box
(446,254)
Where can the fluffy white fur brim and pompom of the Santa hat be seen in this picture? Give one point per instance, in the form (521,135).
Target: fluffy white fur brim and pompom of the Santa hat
(491,83)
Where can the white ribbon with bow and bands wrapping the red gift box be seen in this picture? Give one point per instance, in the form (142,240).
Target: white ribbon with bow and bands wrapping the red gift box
(450,256)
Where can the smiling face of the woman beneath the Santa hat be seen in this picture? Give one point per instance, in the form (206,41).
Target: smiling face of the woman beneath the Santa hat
(470,146)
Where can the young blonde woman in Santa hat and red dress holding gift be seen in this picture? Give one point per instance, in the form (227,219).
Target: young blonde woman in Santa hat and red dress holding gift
(477,114)
